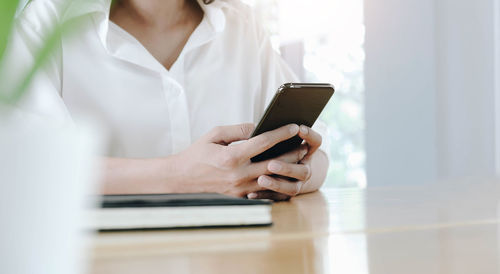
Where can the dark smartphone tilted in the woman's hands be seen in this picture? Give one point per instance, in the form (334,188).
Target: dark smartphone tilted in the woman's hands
(293,103)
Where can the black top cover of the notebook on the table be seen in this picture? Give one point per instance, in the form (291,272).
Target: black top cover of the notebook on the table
(175,200)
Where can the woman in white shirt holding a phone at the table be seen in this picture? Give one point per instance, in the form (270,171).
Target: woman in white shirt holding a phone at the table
(175,82)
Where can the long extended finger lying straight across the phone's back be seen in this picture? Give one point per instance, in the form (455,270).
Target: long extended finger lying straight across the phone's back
(262,142)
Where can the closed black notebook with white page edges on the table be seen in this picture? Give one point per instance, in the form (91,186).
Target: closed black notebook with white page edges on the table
(169,211)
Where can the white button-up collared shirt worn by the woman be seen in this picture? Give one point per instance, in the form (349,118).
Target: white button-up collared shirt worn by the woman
(226,74)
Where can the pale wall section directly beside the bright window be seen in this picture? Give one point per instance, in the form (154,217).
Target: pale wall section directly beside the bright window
(400,91)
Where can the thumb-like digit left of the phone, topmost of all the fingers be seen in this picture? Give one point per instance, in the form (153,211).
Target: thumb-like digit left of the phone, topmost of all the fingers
(225,135)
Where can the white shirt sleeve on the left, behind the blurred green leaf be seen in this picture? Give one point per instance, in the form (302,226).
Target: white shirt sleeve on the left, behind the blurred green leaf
(43,95)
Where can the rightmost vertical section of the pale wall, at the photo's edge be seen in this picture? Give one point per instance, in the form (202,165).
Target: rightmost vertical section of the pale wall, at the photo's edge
(465,74)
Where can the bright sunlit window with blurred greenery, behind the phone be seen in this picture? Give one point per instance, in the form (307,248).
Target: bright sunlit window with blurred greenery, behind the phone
(323,41)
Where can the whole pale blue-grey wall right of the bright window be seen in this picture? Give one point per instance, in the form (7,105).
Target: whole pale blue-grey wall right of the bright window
(429,77)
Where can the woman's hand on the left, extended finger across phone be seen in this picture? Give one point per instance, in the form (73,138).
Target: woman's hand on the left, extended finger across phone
(214,164)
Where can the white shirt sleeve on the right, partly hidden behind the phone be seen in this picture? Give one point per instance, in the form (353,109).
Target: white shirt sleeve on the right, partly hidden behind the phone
(275,72)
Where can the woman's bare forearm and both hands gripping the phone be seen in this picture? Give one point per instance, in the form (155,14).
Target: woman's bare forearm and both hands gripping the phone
(215,163)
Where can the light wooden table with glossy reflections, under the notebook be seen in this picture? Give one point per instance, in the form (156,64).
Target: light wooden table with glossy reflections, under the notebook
(440,228)
